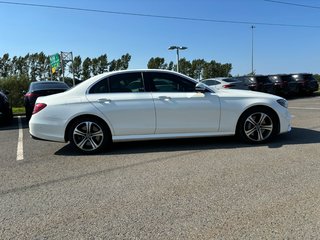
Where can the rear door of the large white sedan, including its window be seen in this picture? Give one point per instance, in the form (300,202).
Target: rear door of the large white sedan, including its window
(124,102)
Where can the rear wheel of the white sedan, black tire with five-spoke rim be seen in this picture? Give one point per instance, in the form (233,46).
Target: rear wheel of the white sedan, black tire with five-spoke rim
(89,135)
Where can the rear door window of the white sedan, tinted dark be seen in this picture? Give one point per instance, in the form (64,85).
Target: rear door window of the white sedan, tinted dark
(127,82)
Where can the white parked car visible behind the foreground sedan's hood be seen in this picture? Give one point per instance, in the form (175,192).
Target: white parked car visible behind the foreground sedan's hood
(225,82)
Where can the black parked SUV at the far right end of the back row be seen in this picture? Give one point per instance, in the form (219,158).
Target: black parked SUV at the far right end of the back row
(307,84)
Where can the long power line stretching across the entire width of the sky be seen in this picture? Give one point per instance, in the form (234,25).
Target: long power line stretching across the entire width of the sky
(158,16)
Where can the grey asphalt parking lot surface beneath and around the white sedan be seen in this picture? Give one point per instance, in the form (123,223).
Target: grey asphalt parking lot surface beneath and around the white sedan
(210,188)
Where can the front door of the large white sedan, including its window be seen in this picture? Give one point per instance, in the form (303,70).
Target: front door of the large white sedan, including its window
(179,108)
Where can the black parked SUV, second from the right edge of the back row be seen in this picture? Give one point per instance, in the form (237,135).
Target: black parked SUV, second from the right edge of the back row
(284,84)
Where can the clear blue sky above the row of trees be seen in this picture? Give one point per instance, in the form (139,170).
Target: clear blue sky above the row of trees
(276,49)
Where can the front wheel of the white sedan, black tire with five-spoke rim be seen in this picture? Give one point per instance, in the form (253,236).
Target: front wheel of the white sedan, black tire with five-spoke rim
(257,125)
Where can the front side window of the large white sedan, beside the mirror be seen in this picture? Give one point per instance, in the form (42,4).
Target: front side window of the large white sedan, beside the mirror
(162,82)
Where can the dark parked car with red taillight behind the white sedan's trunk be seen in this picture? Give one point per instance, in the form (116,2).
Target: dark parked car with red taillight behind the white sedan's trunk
(41,88)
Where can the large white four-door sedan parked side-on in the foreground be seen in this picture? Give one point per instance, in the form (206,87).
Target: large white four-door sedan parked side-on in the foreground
(137,105)
